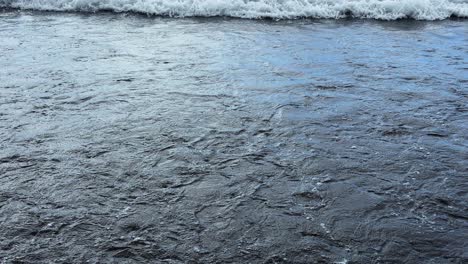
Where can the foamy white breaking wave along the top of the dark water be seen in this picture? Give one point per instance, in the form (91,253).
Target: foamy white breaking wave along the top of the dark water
(256,9)
